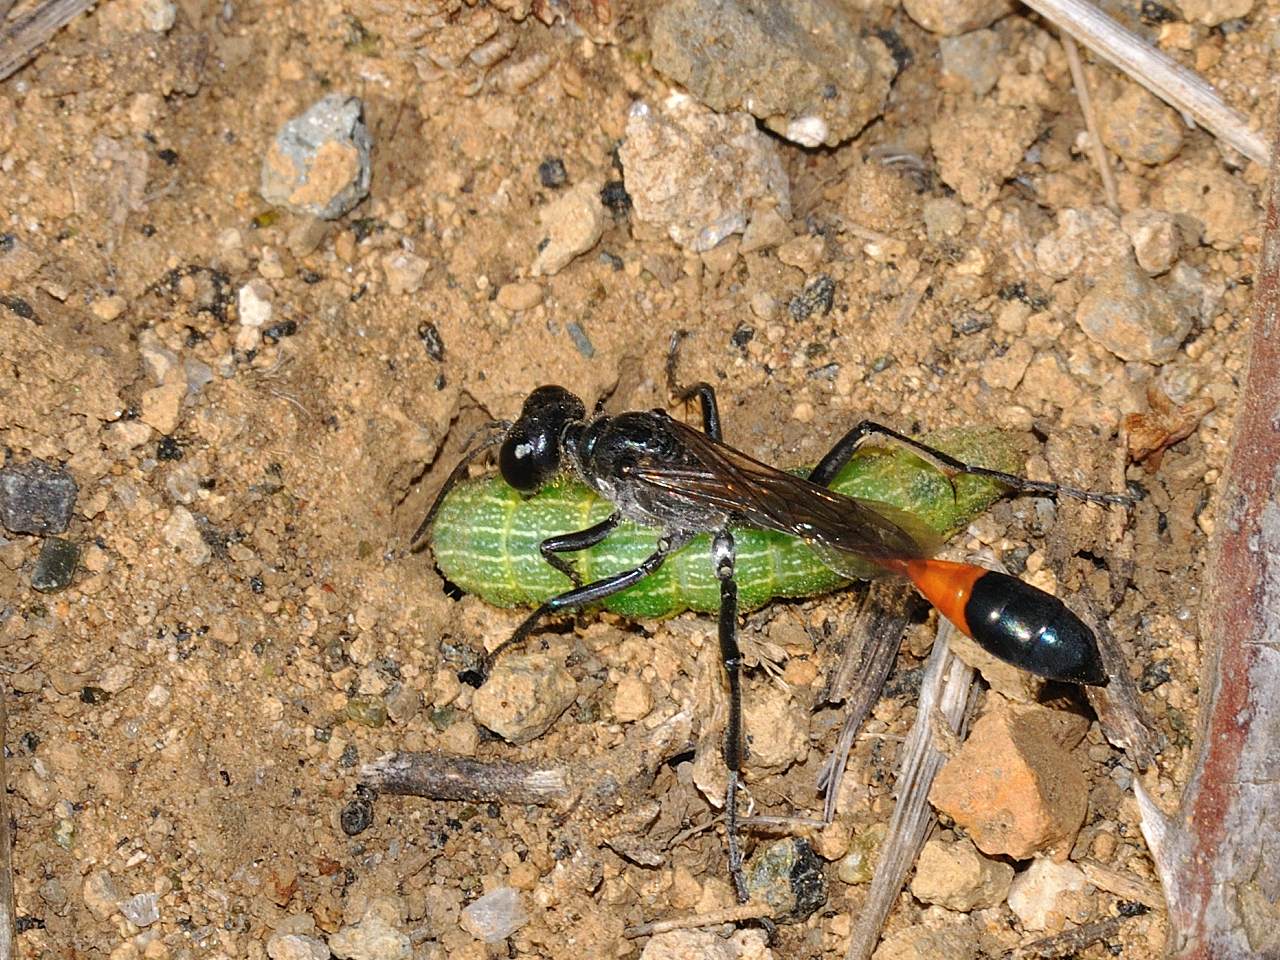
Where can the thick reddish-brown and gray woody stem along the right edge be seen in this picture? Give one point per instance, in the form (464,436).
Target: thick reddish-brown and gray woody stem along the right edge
(1217,856)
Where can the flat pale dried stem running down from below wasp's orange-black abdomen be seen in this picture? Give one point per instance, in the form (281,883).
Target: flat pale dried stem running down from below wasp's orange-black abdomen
(947,687)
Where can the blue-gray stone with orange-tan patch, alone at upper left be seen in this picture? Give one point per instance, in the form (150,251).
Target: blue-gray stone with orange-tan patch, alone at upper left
(319,164)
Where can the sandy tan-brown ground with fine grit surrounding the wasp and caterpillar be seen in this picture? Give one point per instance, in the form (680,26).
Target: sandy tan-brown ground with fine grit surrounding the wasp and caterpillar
(179,716)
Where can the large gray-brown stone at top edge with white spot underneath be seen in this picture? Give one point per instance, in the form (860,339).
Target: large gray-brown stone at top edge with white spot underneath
(799,66)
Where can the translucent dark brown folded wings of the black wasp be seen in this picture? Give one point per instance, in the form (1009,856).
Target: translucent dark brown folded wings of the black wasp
(845,532)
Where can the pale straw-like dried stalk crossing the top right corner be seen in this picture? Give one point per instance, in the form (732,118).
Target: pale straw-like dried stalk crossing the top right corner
(1182,89)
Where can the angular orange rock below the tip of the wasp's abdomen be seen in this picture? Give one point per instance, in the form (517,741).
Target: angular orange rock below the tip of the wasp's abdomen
(1014,787)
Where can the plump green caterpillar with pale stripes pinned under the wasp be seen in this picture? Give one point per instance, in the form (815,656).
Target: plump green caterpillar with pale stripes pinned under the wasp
(486,536)
